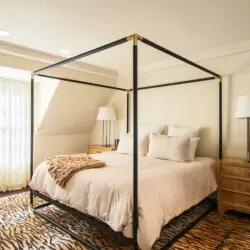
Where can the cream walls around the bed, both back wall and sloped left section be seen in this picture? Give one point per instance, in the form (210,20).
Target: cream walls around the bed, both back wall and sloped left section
(70,123)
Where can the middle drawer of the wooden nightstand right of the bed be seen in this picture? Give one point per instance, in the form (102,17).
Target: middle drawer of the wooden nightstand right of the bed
(232,183)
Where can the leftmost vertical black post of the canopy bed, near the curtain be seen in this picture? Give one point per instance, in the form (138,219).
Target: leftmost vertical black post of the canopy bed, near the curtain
(31,135)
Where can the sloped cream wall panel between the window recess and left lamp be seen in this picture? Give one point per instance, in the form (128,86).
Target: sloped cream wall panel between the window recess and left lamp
(73,109)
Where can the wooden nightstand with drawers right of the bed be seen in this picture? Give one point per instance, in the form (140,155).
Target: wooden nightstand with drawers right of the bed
(233,177)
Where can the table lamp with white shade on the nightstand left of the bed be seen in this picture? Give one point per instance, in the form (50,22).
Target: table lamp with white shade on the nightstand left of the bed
(106,115)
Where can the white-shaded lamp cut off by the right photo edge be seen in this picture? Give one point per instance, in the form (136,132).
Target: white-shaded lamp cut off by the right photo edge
(243,112)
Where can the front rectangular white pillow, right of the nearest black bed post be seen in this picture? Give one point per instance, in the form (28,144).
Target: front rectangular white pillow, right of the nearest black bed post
(169,148)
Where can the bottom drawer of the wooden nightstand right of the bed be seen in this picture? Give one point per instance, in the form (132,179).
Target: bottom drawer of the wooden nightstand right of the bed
(236,198)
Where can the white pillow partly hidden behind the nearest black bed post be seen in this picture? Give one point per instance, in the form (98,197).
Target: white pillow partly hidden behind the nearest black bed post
(125,145)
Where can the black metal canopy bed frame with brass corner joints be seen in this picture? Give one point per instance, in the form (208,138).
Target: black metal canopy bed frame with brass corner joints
(134,38)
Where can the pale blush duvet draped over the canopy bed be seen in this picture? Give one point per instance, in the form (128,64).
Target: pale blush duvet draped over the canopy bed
(166,189)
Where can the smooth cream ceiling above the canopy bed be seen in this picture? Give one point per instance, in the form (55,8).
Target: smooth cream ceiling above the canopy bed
(184,26)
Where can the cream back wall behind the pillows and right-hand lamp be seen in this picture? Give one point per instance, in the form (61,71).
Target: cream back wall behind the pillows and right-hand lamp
(195,104)
